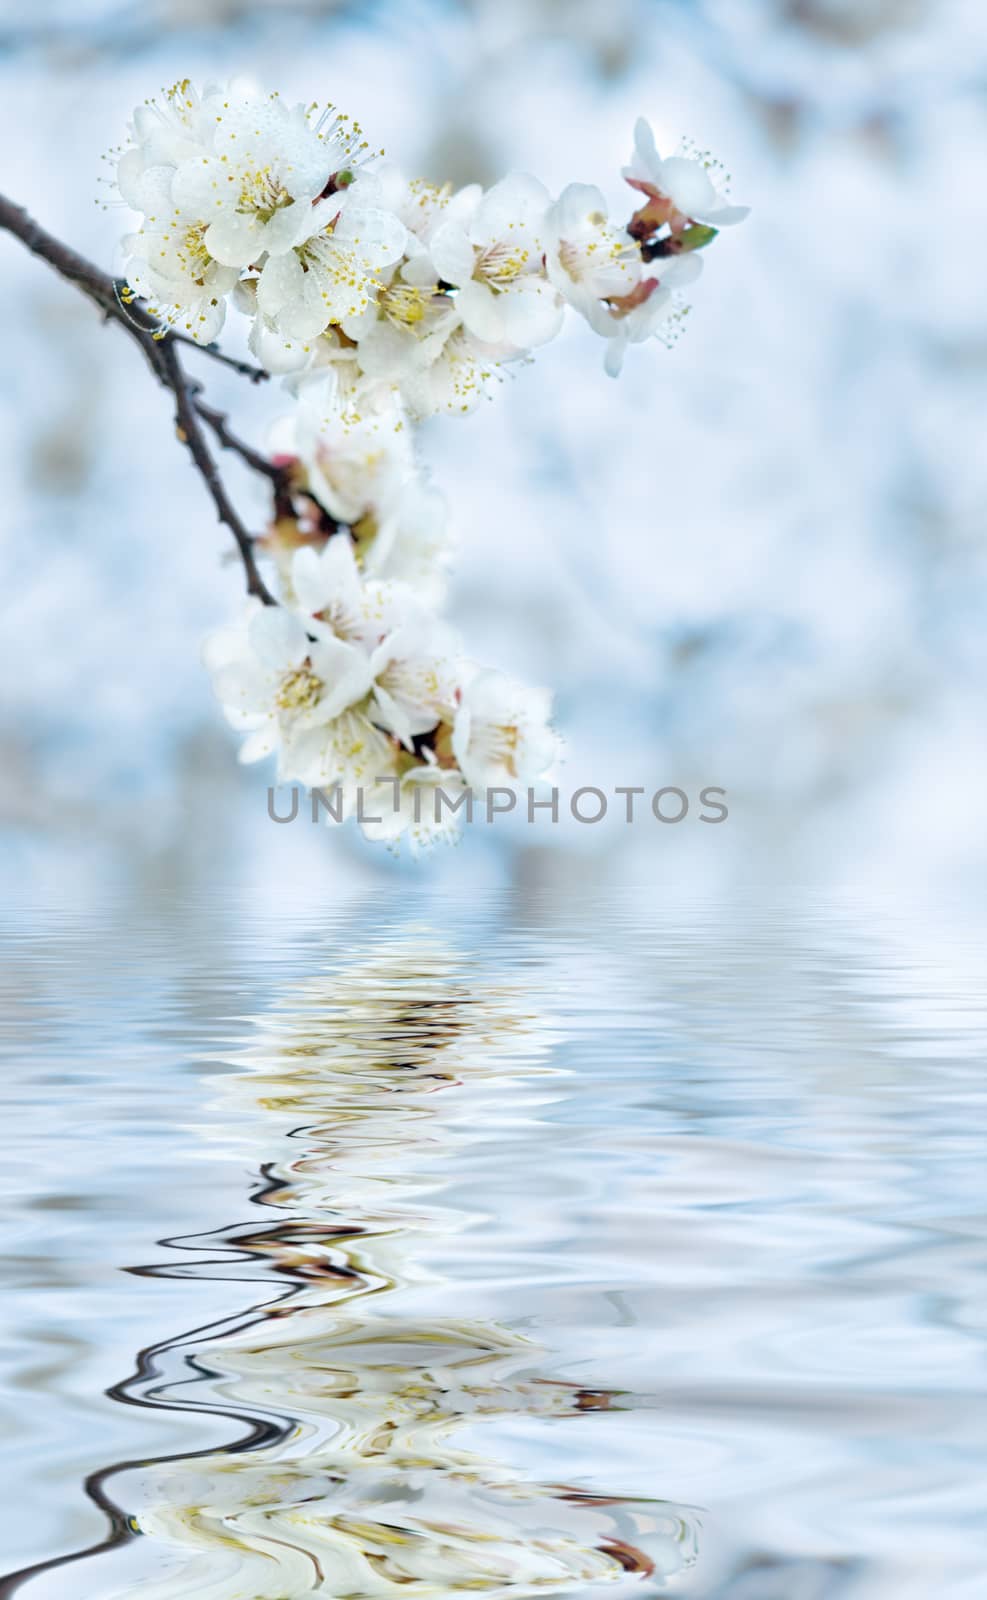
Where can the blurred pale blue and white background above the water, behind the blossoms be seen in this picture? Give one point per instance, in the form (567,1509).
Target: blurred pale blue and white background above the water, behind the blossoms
(757,561)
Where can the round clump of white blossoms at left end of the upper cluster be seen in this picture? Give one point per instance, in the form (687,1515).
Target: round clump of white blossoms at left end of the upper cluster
(241,182)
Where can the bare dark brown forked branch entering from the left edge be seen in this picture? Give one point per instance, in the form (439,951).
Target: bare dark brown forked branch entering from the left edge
(161,353)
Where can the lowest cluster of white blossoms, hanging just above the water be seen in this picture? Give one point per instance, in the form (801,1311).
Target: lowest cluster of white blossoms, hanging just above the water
(364,692)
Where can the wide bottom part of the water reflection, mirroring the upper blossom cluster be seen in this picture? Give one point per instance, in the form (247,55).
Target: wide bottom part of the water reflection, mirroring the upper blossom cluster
(388,1500)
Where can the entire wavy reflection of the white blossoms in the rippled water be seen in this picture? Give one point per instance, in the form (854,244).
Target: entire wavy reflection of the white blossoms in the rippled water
(356,1481)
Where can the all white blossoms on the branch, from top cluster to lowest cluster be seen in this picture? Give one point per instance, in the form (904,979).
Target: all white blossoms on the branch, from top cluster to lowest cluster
(383,300)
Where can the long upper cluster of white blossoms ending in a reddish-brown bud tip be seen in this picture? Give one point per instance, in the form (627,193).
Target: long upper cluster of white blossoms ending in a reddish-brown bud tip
(401,287)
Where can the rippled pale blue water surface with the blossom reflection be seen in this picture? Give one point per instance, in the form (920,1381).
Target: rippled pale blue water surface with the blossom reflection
(519,1246)
